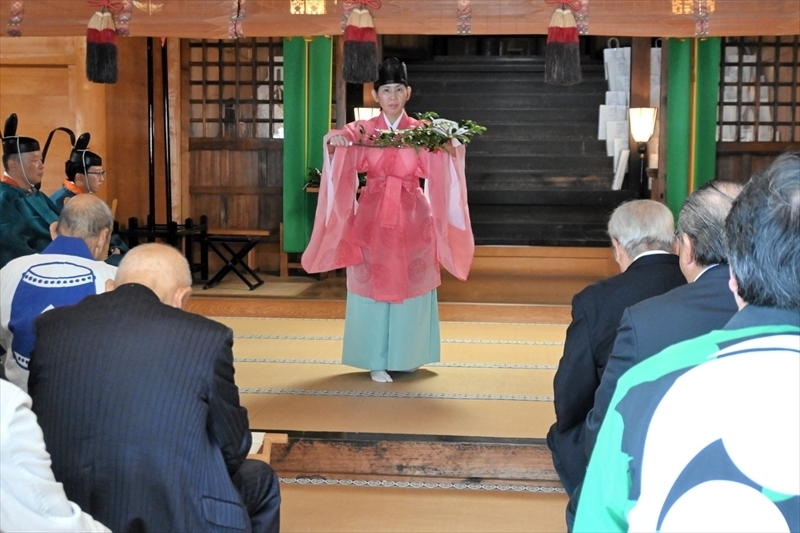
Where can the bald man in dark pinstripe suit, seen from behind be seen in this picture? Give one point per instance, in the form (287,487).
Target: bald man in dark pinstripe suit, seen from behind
(139,409)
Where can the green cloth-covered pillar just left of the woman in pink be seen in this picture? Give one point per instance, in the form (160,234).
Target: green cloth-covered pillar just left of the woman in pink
(307,118)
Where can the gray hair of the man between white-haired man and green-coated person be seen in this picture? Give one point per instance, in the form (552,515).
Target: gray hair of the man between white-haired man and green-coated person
(702,219)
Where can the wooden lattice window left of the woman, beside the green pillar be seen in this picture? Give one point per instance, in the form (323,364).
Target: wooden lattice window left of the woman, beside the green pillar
(236,88)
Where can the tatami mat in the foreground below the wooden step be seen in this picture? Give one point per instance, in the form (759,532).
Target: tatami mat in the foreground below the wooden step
(307,508)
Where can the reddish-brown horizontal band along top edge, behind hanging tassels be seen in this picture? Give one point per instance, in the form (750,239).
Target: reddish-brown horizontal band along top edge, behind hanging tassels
(271,18)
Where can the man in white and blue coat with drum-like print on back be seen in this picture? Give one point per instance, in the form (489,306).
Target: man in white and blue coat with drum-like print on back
(70,268)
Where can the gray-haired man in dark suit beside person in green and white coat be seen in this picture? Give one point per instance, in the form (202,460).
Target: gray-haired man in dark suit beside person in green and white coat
(706,303)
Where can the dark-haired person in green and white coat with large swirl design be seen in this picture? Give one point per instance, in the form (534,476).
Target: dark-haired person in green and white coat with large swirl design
(704,436)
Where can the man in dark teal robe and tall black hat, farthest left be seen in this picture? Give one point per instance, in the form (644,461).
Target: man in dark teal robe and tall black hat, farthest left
(25,213)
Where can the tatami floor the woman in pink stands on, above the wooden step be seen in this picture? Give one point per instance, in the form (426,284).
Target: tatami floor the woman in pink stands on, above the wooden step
(494,380)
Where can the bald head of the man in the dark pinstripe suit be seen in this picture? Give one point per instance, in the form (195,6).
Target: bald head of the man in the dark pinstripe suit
(160,268)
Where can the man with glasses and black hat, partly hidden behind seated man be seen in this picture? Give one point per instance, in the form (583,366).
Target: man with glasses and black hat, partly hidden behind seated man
(85,175)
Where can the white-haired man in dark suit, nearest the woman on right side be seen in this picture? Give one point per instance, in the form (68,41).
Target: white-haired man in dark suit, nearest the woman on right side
(642,234)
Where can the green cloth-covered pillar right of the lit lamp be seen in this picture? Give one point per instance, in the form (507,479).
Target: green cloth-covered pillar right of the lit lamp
(692,101)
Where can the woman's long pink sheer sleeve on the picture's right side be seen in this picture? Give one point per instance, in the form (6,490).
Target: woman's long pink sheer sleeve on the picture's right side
(447,192)
